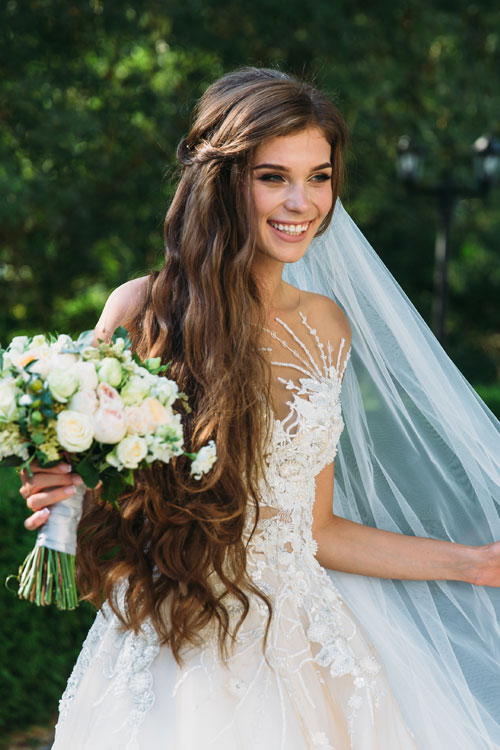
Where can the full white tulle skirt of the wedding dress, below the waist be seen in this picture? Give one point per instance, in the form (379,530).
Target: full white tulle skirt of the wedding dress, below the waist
(318,684)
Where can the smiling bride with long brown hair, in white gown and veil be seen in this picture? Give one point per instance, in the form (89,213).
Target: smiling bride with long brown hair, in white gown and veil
(231,615)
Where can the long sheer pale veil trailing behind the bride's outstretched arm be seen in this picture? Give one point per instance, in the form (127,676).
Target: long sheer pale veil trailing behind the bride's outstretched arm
(420,454)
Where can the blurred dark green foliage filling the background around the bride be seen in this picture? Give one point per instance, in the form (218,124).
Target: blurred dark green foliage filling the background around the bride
(95,95)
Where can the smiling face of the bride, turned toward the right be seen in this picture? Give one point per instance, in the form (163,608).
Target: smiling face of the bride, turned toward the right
(292,192)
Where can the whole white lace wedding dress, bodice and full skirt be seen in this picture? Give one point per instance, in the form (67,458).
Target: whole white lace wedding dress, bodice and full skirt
(319,685)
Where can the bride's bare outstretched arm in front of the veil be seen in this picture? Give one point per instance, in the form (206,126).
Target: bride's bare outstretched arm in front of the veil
(353,548)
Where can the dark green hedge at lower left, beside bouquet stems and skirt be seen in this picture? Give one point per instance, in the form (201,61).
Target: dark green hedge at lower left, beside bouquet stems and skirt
(39,644)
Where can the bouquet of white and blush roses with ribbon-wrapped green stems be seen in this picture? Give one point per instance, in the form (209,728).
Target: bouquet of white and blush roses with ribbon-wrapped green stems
(99,408)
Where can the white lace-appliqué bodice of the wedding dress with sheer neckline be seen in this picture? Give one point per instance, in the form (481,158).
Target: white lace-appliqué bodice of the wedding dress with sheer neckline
(305,439)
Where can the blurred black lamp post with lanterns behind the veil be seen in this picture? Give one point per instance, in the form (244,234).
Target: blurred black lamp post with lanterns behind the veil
(447,192)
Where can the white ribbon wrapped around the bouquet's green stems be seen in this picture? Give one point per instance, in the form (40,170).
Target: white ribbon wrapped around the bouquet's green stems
(59,531)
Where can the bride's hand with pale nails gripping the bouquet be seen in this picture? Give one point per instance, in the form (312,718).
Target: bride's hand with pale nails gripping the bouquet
(46,487)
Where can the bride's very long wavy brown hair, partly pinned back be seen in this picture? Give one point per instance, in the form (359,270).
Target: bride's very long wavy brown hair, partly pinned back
(180,545)
